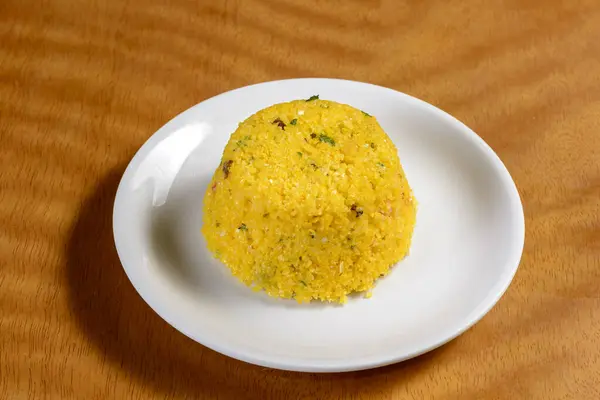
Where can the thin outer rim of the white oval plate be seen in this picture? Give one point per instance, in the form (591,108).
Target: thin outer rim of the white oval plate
(352,364)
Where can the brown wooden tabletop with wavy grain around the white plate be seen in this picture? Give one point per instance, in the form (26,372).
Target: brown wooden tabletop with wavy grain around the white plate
(83,83)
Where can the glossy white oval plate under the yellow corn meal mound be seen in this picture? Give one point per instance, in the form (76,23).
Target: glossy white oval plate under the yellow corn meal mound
(466,248)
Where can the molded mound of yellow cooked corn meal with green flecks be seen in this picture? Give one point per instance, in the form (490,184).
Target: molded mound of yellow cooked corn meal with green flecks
(309,202)
